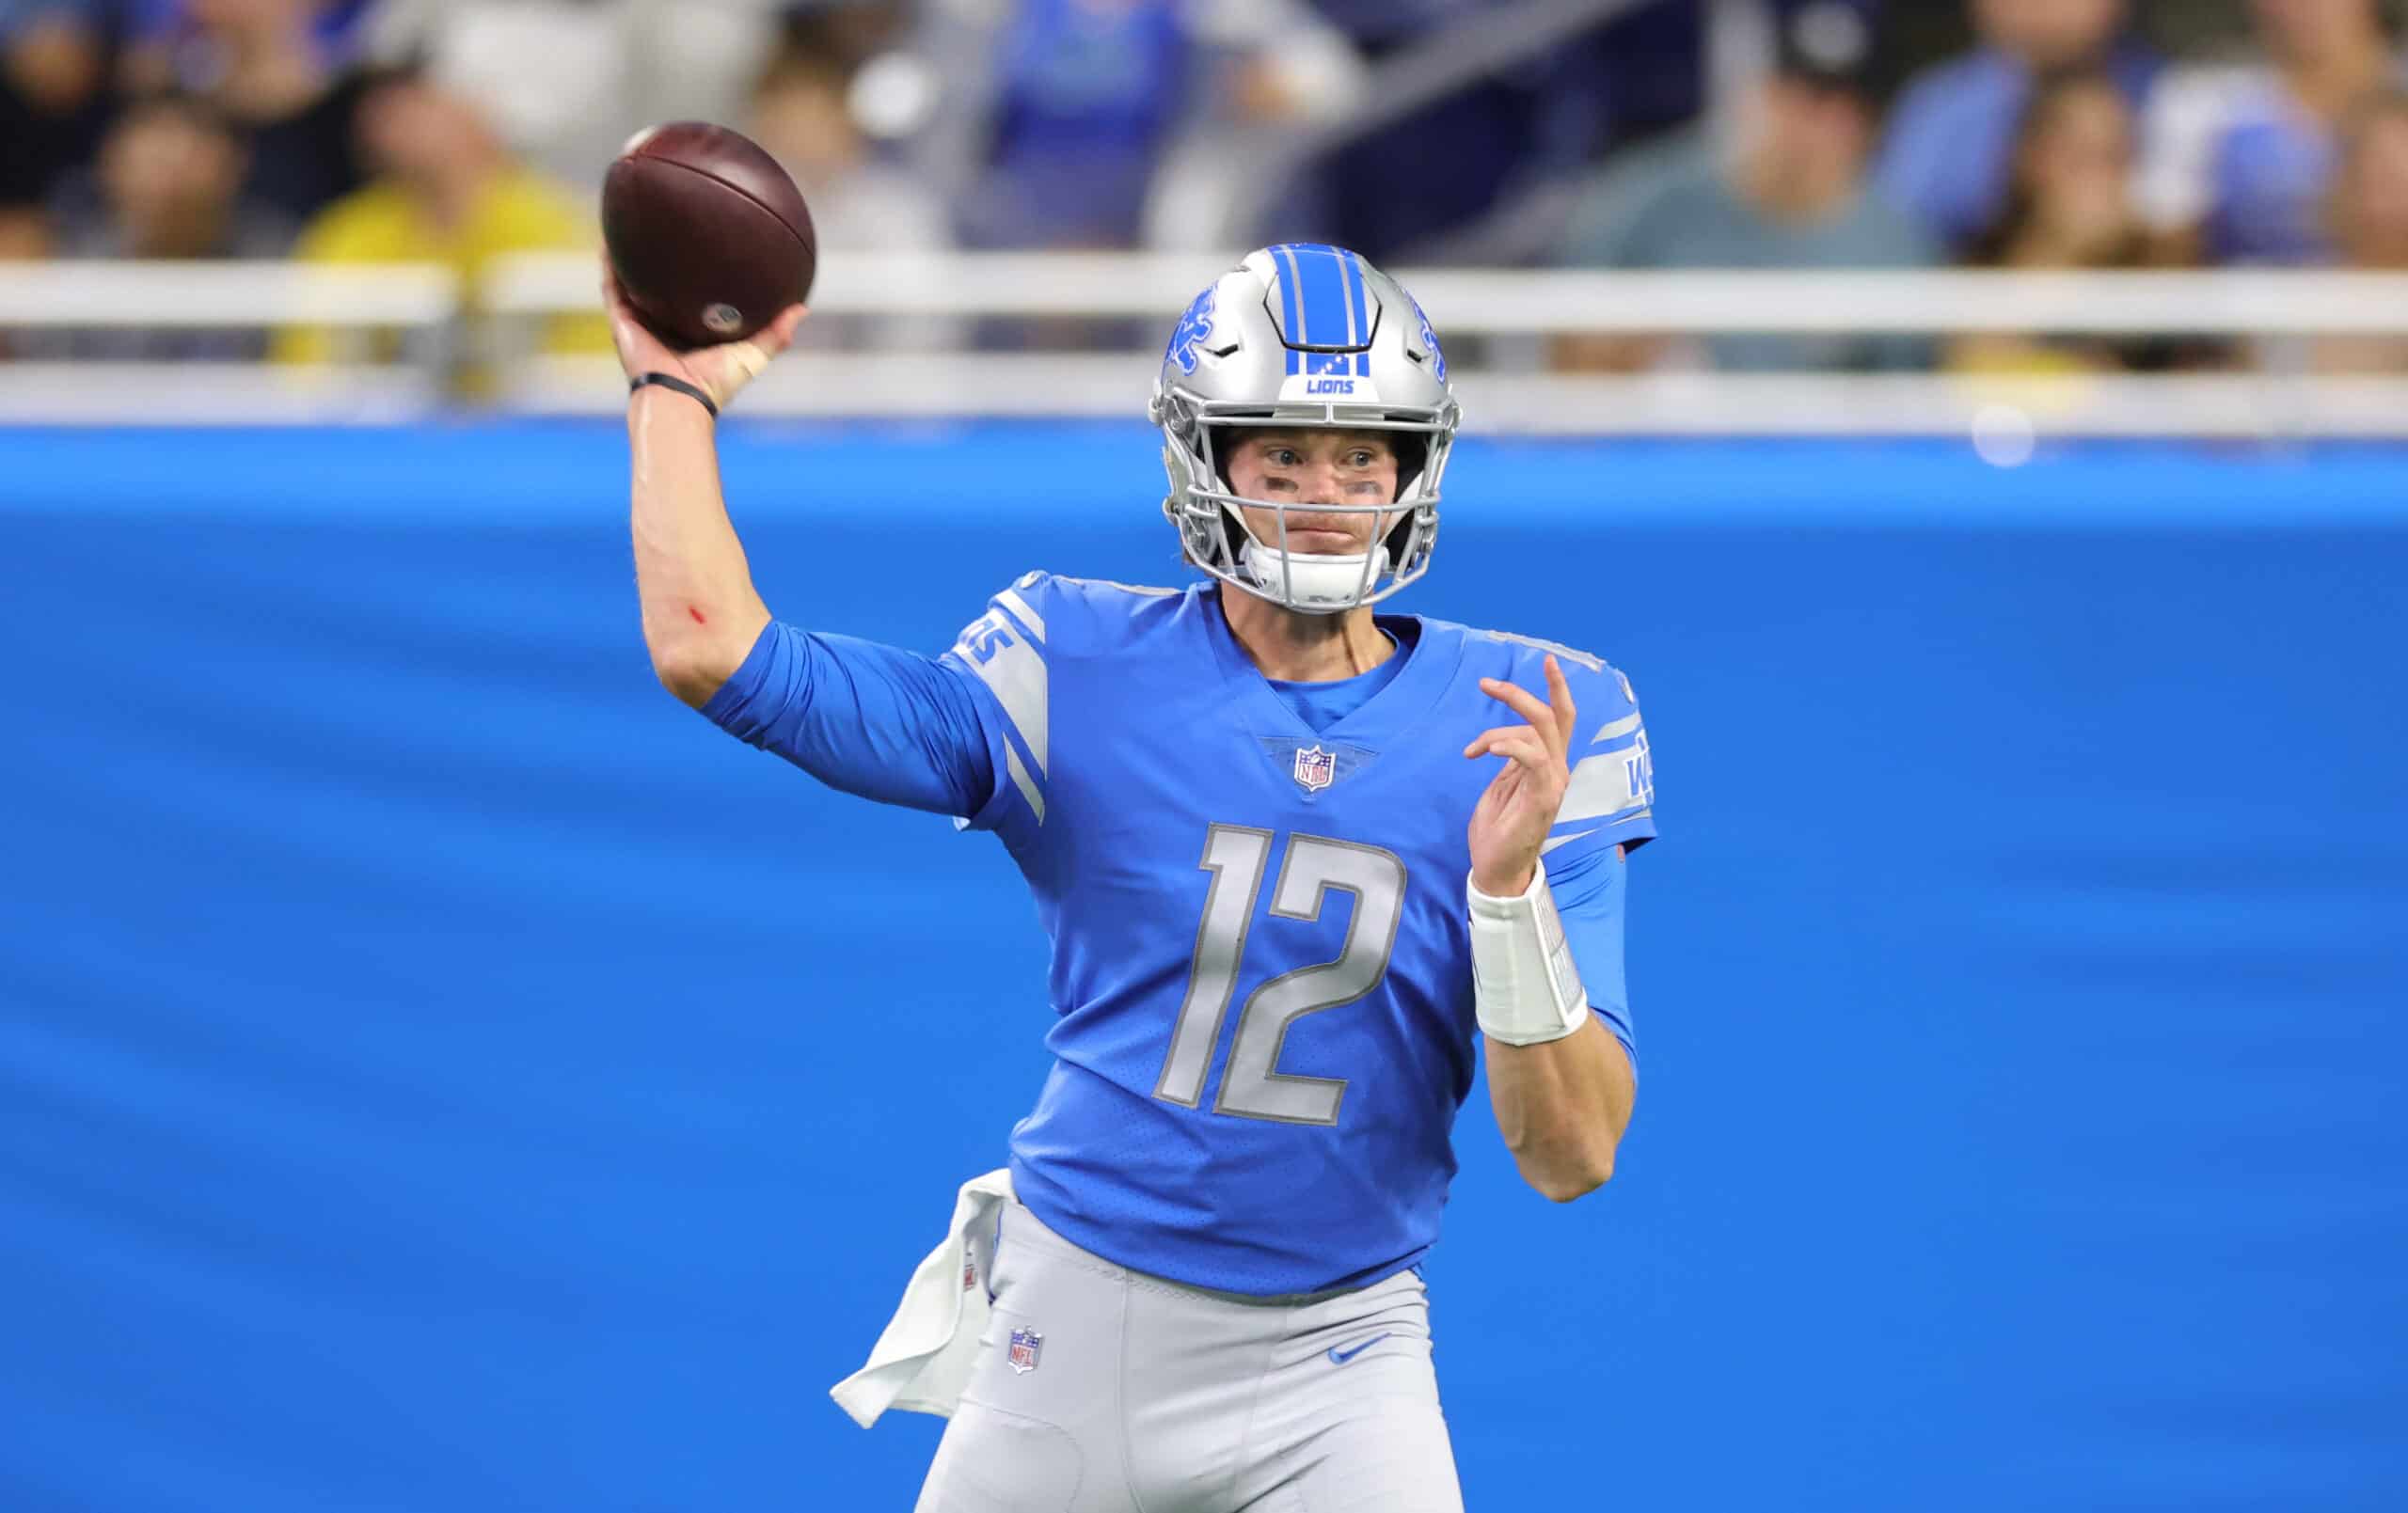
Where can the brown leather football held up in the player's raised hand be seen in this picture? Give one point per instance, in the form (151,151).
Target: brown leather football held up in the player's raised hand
(707,232)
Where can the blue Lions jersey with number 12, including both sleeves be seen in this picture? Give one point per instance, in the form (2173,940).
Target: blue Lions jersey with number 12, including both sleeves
(1261,951)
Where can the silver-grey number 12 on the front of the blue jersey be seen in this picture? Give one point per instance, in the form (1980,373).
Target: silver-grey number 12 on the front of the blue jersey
(1239,858)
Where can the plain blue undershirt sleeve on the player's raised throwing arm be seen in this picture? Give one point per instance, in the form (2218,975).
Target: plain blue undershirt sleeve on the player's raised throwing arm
(870,720)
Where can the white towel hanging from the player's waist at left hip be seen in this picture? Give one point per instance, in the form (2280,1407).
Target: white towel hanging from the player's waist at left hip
(926,1355)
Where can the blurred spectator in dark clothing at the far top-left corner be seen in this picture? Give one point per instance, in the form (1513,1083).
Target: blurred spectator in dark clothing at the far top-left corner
(54,59)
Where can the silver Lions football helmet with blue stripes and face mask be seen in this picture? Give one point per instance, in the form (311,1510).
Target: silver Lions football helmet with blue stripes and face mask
(1304,336)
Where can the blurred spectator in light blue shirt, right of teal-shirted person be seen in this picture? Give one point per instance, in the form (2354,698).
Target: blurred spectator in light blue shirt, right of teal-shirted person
(1947,158)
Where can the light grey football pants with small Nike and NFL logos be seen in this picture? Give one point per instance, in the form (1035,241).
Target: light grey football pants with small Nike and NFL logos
(1143,1396)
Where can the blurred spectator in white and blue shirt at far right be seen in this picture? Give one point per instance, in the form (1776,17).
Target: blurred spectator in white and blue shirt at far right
(2238,160)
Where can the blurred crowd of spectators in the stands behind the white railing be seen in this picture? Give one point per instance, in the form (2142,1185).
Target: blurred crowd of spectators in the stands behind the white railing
(1858,133)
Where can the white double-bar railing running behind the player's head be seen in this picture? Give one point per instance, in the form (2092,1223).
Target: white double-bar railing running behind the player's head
(1504,316)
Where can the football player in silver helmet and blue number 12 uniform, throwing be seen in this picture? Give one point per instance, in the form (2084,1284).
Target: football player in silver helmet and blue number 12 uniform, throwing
(1302,865)
